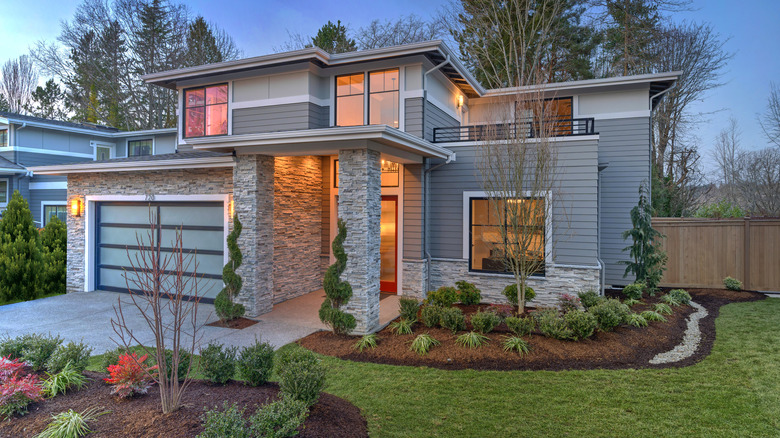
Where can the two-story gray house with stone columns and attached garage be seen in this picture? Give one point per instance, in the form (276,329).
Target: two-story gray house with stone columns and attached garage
(382,139)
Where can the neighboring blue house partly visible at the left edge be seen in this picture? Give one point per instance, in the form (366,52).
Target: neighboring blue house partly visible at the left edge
(27,141)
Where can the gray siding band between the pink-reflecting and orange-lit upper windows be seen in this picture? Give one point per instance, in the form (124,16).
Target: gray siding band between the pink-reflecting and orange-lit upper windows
(288,117)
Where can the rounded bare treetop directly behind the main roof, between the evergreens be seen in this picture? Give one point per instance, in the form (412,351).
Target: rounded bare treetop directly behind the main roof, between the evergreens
(404,30)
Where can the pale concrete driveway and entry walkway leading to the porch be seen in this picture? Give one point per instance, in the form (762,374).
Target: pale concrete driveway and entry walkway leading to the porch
(86,317)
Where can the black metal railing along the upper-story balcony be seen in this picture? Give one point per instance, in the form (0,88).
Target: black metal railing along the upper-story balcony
(529,129)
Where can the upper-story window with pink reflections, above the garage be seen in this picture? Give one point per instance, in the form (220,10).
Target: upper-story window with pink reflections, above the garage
(205,111)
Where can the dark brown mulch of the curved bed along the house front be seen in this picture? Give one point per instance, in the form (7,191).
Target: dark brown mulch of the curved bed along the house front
(626,347)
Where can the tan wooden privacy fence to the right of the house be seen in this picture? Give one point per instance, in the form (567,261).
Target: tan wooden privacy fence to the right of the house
(704,251)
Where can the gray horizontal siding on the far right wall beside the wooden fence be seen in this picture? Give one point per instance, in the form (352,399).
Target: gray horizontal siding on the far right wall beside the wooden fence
(625,145)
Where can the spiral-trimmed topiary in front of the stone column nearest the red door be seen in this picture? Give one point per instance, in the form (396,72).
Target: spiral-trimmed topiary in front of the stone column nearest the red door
(337,292)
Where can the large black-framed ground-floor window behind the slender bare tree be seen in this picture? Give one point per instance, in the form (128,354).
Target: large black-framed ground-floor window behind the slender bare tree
(488,246)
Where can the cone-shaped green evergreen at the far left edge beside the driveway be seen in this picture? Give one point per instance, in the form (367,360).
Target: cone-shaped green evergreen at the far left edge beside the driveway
(20,252)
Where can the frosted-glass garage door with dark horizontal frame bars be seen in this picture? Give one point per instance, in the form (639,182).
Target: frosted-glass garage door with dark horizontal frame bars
(120,224)
